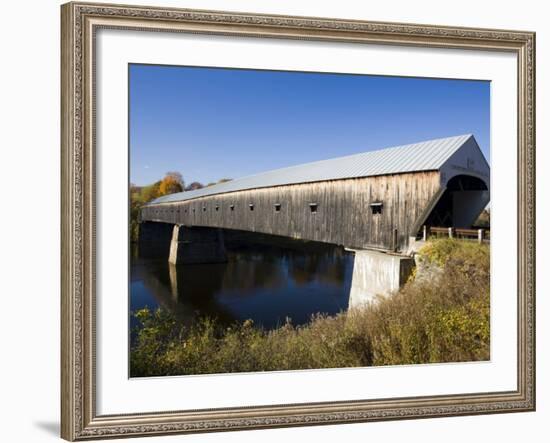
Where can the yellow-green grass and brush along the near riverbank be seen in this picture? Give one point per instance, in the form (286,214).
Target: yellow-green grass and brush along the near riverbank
(443,318)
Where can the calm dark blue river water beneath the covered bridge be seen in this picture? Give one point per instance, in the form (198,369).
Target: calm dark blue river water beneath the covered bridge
(259,282)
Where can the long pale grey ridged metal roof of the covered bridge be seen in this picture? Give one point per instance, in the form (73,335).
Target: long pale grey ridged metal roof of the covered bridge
(424,156)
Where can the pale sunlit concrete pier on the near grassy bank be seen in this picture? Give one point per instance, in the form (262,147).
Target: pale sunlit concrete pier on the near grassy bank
(377,273)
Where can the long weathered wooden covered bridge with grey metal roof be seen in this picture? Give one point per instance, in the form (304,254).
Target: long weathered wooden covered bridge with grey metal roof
(377,200)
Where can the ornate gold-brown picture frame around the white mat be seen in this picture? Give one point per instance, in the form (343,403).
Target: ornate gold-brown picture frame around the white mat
(79,420)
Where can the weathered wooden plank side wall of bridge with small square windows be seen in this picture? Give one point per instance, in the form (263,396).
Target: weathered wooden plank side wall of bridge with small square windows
(343,215)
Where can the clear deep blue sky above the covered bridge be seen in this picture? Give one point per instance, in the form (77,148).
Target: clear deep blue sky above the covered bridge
(210,123)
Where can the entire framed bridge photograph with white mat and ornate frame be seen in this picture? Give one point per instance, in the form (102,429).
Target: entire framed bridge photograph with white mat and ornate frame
(282,221)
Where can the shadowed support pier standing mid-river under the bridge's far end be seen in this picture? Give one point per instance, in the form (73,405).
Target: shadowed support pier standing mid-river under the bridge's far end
(193,245)
